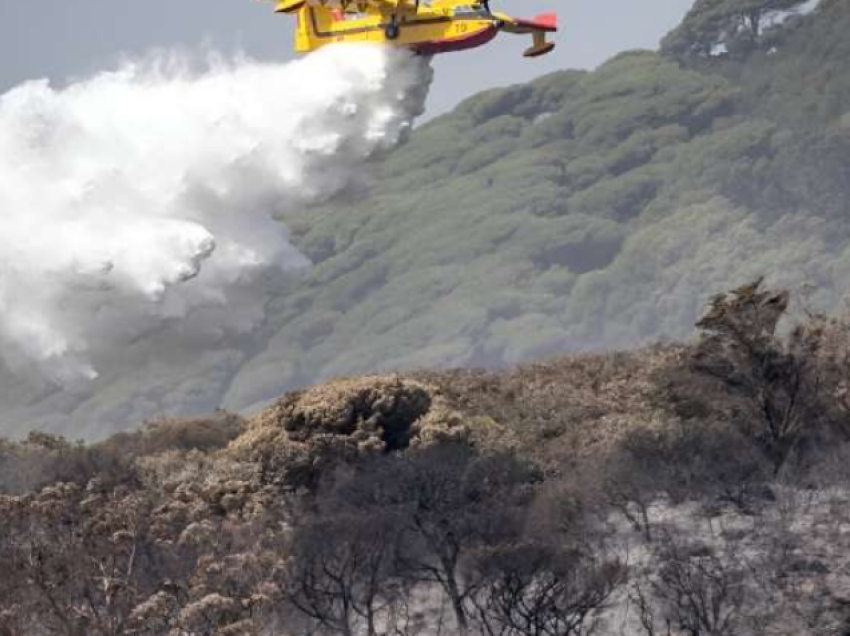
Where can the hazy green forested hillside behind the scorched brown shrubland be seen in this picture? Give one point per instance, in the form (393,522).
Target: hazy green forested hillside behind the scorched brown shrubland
(579,211)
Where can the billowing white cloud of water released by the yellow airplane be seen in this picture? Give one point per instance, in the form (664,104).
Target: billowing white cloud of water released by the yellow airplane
(141,200)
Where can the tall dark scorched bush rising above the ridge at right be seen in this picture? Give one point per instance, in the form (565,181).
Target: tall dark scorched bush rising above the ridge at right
(782,392)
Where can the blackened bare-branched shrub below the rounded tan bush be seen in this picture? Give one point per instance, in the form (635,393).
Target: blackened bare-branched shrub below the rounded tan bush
(451,500)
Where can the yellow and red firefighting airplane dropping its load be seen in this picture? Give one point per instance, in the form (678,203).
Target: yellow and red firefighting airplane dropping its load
(425,27)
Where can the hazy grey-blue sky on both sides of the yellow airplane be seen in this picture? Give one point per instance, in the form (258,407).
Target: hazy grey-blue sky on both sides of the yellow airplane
(62,39)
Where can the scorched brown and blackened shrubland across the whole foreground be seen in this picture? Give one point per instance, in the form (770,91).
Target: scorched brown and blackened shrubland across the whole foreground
(697,488)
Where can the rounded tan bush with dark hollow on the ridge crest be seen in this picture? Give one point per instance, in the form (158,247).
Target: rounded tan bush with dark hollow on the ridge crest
(309,434)
